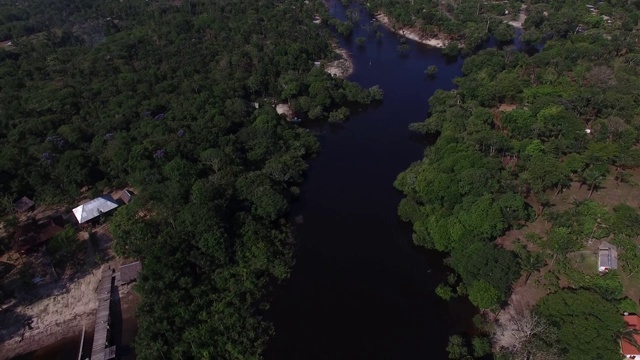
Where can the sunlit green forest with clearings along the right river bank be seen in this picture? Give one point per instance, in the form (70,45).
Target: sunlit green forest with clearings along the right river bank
(517,133)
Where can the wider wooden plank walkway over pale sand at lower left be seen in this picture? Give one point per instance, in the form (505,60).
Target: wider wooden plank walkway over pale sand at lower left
(101,331)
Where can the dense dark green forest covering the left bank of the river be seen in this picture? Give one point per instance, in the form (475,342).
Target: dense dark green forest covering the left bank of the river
(173,99)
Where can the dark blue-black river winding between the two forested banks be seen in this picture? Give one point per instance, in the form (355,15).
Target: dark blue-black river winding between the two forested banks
(360,288)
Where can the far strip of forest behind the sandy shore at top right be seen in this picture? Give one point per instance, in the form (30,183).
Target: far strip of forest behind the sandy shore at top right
(471,23)
